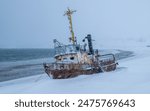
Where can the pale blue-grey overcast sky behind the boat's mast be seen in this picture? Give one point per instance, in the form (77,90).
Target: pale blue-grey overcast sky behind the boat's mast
(35,23)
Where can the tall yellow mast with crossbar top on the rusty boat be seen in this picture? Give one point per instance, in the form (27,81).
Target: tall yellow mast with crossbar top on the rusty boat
(69,14)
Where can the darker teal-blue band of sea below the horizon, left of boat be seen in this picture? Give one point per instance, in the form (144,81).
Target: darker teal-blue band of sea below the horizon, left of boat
(13,55)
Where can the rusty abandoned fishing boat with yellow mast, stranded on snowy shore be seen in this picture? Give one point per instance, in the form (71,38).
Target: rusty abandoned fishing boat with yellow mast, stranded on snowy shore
(75,59)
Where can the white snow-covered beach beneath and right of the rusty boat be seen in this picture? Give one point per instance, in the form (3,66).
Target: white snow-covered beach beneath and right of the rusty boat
(131,76)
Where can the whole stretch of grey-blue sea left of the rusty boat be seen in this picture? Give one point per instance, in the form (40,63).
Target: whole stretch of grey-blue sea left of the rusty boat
(17,63)
